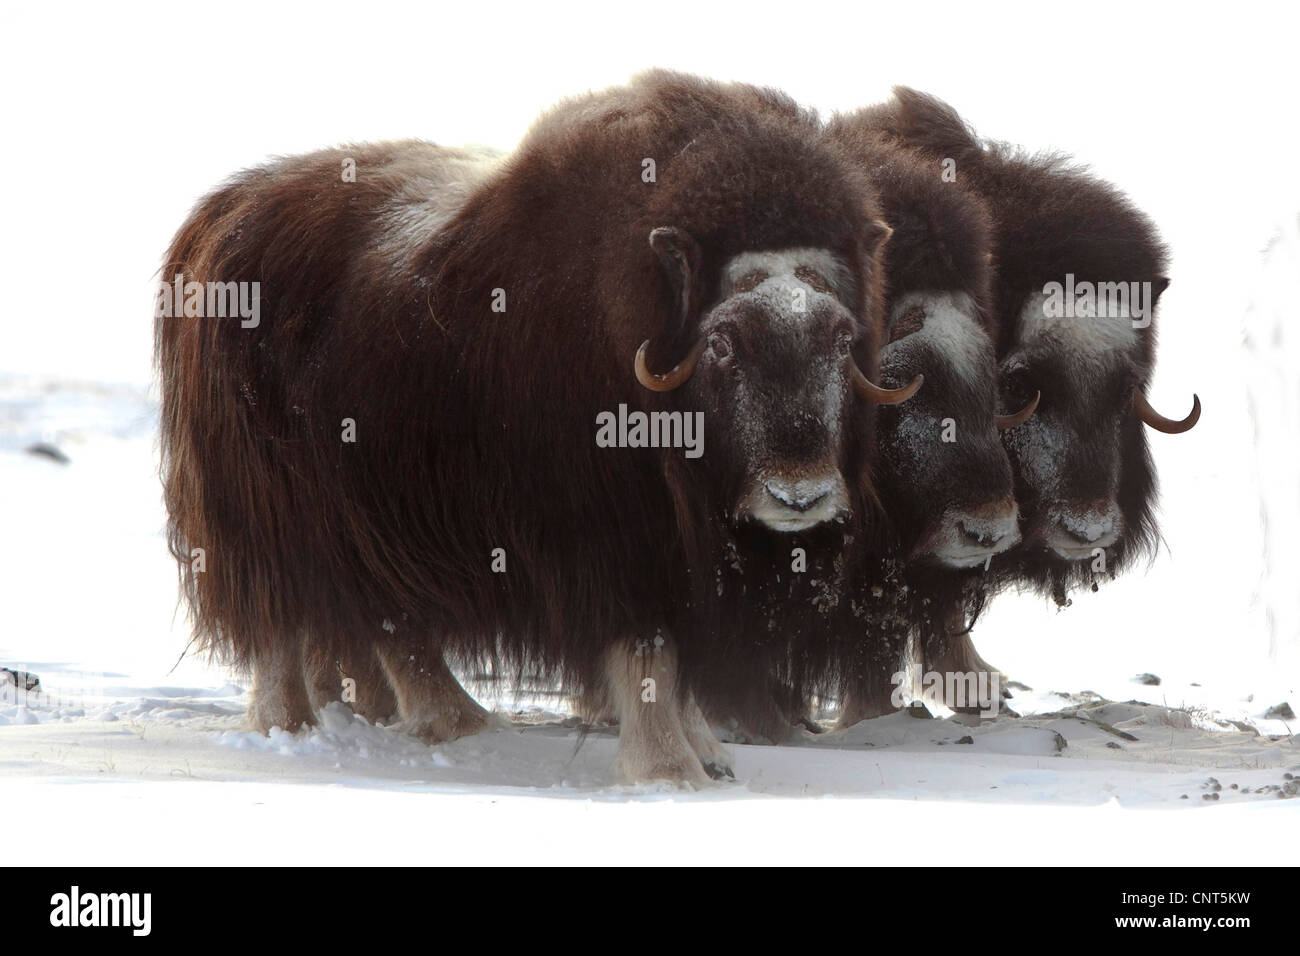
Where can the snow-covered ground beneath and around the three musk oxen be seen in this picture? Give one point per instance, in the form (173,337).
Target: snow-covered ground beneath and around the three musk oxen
(127,729)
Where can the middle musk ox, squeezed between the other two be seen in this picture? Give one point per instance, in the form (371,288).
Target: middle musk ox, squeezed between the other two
(943,477)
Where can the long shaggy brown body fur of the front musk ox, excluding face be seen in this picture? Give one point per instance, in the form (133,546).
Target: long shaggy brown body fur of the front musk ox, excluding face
(475,429)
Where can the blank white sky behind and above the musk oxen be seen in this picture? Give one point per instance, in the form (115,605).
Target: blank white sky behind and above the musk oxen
(115,123)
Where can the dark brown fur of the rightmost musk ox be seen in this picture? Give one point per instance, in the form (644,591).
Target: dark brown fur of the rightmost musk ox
(1052,218)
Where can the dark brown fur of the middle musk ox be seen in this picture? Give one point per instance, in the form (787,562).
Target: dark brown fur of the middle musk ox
(943,243)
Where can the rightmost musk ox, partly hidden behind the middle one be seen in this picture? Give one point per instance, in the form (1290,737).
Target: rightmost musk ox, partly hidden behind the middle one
(1085,481)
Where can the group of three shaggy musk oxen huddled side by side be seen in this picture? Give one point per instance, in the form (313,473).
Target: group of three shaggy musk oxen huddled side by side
(696,405)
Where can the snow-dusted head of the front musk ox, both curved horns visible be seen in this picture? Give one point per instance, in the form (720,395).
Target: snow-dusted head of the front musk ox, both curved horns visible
(774,367)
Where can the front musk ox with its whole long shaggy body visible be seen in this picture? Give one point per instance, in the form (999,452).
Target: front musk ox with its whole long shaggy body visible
(675,246)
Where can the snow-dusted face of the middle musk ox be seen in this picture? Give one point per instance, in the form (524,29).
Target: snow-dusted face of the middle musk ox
(944,474)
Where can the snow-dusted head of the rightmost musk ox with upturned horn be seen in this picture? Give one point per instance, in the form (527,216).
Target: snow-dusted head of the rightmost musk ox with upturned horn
(1085,478)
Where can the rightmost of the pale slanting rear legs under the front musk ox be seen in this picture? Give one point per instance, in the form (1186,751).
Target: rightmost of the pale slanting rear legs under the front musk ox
(431,702)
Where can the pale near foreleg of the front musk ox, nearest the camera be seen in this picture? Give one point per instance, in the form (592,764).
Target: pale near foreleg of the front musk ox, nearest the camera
(643,685)
